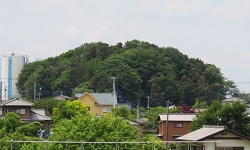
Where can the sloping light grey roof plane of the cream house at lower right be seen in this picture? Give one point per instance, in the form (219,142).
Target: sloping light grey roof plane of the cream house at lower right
(201,133)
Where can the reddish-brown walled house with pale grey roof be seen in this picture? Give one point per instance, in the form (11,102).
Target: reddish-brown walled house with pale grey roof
(177,125)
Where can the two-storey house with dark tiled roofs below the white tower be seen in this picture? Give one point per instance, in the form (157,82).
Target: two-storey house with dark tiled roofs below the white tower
(24,110)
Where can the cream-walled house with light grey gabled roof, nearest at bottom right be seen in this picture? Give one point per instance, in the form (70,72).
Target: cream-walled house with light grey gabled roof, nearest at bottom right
(216,138)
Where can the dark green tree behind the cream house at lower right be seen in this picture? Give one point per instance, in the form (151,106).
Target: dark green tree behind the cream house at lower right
(233,116)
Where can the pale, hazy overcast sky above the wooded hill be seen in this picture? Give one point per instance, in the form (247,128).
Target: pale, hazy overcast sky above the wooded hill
(217,32)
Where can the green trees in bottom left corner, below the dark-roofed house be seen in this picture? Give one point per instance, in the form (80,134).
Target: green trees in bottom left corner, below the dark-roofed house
(11,127)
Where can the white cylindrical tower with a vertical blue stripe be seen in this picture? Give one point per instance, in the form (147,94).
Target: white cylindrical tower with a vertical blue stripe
(10,68)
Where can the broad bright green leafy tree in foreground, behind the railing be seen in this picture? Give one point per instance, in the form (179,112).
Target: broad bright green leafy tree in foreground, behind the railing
(94,129)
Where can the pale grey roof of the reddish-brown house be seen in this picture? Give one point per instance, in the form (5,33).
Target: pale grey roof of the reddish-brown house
(177,117)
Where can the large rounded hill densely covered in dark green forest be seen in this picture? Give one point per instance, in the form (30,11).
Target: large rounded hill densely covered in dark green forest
(142,69)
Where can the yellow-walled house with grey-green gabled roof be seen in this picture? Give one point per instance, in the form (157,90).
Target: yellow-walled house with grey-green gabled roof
(98,103)
